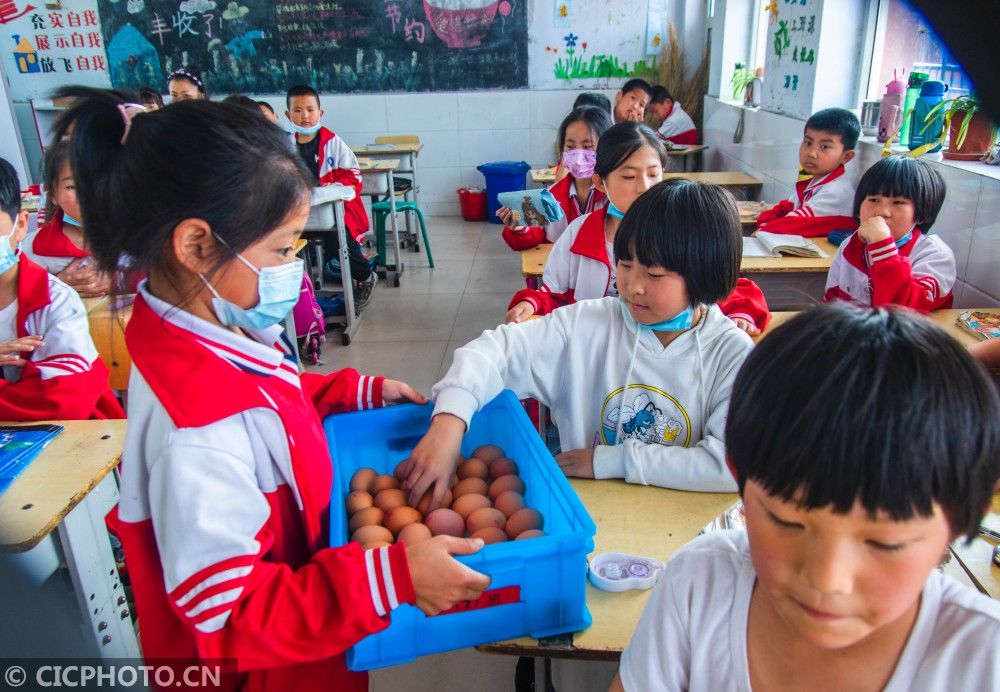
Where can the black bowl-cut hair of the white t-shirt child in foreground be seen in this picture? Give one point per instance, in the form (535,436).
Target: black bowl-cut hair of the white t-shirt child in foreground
(881,407)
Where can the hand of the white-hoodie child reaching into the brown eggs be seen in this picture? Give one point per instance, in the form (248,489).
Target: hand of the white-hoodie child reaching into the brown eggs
(435,458)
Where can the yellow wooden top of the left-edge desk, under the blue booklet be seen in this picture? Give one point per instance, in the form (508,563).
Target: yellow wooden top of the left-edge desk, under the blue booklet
(54,483)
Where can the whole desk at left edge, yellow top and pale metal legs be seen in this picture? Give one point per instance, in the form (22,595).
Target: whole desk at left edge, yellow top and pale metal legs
(69,489)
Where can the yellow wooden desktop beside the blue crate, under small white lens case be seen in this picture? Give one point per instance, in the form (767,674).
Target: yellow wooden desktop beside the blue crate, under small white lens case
(636,519)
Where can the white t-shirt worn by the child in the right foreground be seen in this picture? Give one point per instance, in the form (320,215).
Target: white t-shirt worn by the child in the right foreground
(692,633)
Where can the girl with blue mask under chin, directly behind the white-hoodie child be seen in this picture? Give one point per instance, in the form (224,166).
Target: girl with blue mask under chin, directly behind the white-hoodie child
(630,160)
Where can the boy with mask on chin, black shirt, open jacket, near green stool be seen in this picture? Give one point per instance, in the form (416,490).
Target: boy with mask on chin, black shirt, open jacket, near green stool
(329,158)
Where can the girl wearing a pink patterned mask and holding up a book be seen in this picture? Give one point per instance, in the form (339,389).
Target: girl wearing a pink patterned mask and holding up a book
(575,192)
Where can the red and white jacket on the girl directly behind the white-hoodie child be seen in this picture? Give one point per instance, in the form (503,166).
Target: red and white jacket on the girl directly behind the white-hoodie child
(580,267)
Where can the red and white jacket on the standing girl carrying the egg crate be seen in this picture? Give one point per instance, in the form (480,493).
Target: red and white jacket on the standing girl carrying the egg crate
(225,503)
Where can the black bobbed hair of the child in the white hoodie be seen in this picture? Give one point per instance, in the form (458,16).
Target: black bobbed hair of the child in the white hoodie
(689,228)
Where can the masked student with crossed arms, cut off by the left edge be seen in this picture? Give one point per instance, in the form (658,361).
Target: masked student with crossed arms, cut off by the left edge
(49,367)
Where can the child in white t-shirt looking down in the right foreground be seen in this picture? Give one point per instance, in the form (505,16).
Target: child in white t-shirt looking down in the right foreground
(864,442)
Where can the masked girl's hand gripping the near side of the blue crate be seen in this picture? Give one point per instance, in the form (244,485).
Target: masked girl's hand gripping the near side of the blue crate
(439,580)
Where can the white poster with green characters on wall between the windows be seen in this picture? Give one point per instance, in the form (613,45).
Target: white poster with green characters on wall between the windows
(790,65)
